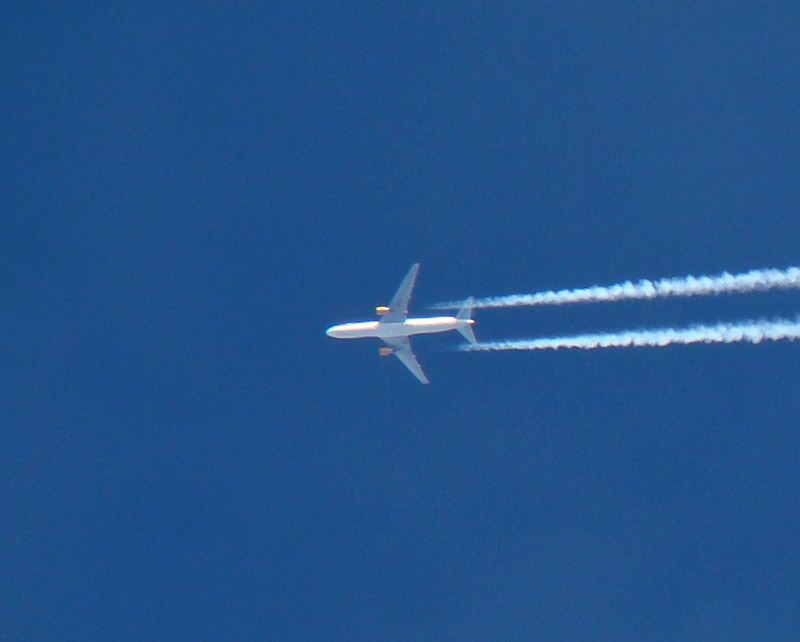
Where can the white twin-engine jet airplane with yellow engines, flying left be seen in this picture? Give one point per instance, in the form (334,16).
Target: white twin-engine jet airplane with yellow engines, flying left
(395,328)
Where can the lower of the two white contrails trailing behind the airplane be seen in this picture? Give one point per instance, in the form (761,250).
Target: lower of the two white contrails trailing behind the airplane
(741,332)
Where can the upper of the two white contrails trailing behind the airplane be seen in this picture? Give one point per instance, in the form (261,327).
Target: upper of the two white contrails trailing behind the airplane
(752,281)
